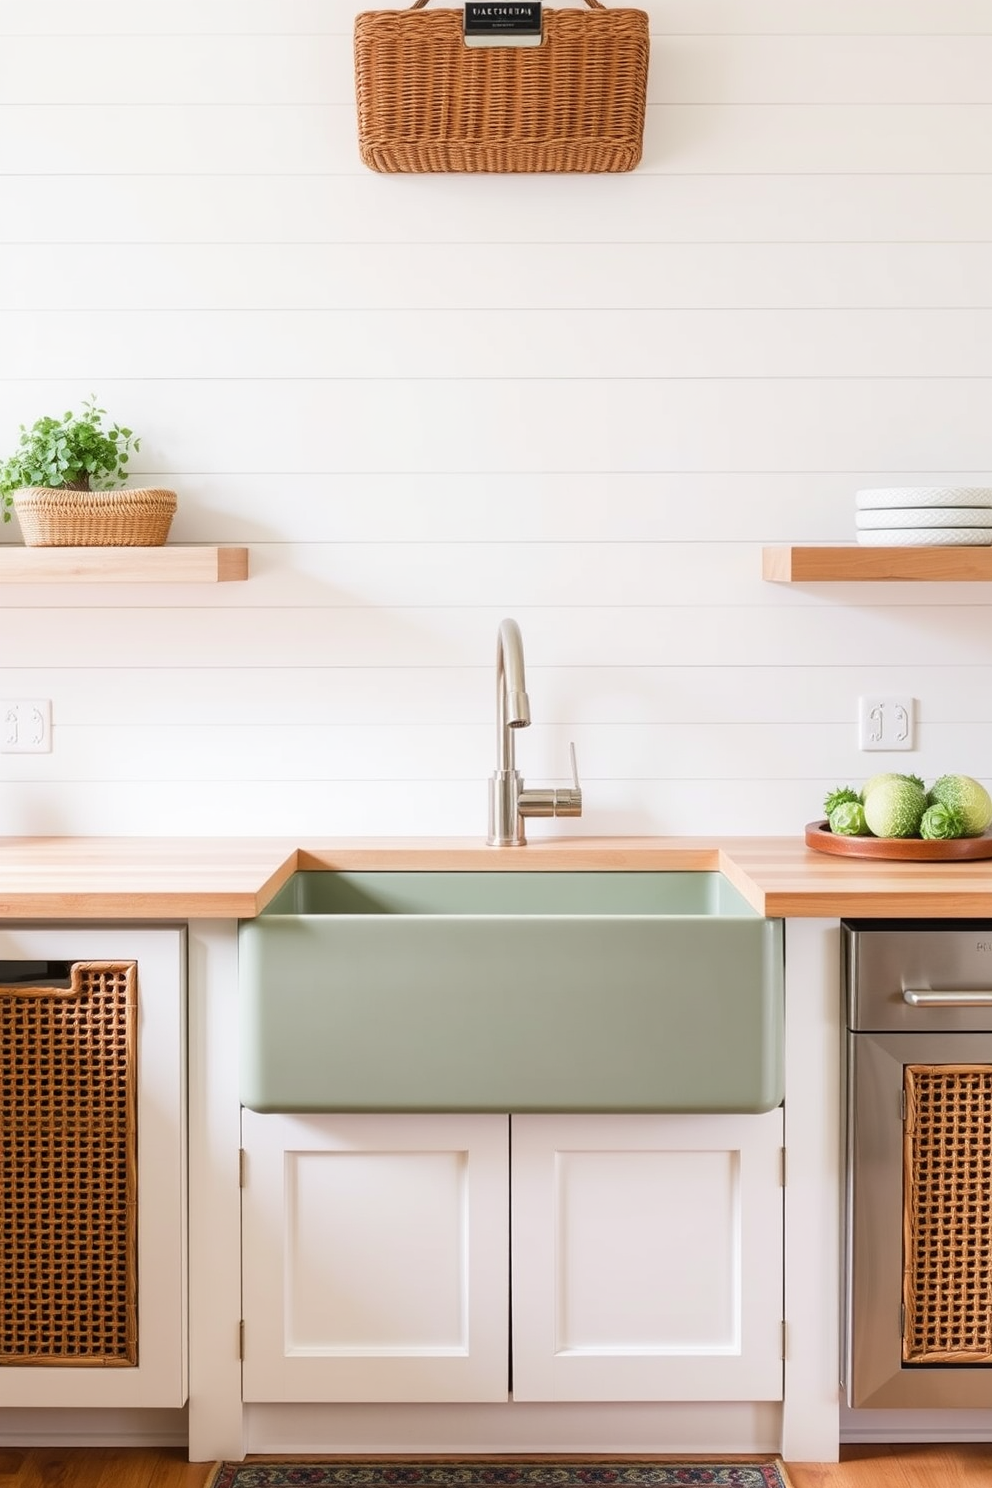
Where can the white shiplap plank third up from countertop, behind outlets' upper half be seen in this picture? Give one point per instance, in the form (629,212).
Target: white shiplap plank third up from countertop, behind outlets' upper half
(948,697)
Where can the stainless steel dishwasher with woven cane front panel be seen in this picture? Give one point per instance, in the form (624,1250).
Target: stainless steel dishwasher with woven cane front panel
(918,1205)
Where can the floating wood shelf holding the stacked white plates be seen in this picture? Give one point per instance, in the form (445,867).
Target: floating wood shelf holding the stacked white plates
(859,565)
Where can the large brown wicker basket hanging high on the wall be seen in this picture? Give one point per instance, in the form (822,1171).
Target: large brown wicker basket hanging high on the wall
(431,103)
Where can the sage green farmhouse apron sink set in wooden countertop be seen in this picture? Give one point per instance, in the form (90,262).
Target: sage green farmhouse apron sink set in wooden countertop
(511,992)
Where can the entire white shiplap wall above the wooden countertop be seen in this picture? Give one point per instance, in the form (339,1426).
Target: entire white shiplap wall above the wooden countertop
(428,403)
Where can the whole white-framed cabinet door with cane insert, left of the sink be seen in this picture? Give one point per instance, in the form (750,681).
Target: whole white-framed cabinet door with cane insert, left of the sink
(93,1271)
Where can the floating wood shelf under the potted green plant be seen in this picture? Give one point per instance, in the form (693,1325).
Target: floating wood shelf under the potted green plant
(175,563)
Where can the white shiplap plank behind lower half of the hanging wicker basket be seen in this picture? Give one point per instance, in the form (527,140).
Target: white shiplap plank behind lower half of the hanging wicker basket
(680,139)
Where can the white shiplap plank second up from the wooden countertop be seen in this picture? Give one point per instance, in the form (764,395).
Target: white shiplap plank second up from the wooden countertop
(365,752)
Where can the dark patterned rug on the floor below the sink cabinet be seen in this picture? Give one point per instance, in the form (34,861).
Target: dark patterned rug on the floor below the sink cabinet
(309,1472)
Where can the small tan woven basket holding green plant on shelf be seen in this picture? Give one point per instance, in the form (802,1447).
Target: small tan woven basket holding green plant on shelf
(65,519)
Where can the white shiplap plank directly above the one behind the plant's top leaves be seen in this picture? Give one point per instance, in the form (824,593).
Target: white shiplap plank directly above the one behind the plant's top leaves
(78,344)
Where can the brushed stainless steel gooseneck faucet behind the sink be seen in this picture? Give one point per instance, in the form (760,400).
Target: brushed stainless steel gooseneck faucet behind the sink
(509,804)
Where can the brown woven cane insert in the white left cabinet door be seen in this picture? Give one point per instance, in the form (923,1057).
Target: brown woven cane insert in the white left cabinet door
(69,1170)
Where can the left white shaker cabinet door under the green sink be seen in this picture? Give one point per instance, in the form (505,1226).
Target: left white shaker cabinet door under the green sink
(376,1258)
